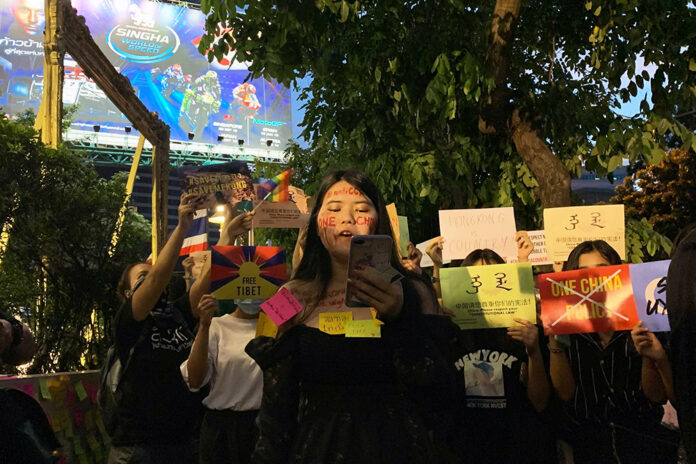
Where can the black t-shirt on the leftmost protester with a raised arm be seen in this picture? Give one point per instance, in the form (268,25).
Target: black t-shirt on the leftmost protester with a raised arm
(156,408)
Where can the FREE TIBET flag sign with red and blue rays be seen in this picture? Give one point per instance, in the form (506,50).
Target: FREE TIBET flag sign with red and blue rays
(246,272)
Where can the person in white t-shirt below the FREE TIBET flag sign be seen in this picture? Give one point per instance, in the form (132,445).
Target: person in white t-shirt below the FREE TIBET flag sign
(228,432)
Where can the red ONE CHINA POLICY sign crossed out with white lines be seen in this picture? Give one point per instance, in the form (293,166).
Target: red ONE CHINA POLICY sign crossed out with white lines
(587,300)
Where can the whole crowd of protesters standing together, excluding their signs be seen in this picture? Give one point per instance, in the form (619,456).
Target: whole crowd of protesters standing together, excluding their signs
(204,388)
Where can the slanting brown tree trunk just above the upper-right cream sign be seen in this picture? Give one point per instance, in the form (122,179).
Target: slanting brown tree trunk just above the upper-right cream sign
(549,171)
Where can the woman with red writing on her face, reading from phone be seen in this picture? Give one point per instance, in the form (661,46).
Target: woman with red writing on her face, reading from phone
(329,397)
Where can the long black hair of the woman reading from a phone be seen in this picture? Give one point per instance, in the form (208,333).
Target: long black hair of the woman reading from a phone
(315,265)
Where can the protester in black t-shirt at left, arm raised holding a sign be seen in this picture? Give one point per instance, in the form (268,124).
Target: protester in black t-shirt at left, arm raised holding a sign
(153,333)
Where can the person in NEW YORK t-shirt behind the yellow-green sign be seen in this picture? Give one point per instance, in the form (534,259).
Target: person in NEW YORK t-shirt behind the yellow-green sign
(503,388)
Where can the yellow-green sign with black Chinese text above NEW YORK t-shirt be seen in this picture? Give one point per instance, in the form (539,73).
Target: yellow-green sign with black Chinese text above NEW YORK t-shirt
(484,297)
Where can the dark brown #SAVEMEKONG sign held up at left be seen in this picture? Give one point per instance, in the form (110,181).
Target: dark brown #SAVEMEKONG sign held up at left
(224,183)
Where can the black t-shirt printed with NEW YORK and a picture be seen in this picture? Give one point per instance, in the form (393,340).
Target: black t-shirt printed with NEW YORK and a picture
(496,421)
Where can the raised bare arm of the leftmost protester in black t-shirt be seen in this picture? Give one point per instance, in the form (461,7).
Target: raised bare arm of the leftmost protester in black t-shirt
(145,297)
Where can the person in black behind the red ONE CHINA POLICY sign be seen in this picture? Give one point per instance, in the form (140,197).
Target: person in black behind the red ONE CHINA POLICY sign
(613,394)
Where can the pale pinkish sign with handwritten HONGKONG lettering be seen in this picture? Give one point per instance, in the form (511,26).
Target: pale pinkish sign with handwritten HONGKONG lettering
(466,230)
